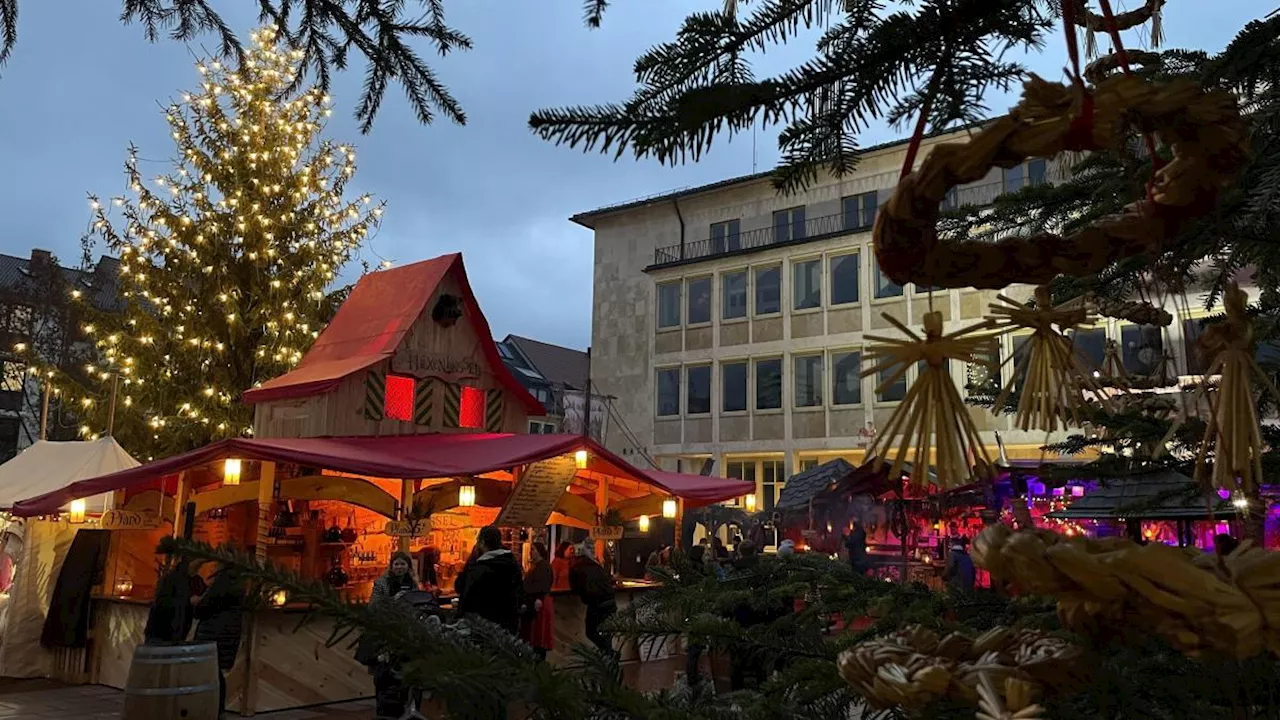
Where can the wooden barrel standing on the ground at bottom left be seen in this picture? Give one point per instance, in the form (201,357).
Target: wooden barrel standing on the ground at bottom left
(173,682)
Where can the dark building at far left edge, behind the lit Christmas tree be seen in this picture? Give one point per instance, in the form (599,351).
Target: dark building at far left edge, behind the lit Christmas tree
(36,313)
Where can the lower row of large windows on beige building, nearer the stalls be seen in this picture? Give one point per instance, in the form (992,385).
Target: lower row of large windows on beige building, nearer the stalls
(758,384)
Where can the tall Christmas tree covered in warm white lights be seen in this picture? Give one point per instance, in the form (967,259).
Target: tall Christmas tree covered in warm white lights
(227,261)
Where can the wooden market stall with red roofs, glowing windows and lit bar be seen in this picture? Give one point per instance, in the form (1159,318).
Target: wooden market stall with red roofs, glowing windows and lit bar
(395,432)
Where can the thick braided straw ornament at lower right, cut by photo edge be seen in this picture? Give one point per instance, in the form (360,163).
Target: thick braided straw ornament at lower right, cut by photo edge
(1108,587)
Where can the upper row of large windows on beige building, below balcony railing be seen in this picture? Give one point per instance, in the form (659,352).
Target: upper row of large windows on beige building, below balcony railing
(760,290)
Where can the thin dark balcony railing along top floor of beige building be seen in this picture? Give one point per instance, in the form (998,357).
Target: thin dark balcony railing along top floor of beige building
(813,229)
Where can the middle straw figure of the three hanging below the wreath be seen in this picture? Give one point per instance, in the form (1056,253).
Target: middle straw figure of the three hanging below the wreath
(1055,380)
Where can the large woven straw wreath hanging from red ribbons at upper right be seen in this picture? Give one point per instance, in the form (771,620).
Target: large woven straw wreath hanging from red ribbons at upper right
(1204,130)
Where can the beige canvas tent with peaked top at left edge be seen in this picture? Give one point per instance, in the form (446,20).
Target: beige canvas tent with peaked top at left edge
(38,548)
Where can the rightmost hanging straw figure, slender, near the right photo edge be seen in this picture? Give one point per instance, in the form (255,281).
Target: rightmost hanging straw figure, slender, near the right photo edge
(1233,430)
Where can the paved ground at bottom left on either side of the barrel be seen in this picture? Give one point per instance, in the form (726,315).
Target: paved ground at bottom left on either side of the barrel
(40,700)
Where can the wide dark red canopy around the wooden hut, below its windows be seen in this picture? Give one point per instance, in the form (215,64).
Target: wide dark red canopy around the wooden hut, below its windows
(399,457)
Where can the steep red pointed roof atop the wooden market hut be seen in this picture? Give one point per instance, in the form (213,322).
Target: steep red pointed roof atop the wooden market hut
(374,322)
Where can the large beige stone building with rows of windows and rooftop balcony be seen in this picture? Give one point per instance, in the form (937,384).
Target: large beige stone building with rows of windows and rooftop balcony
(730,321)
